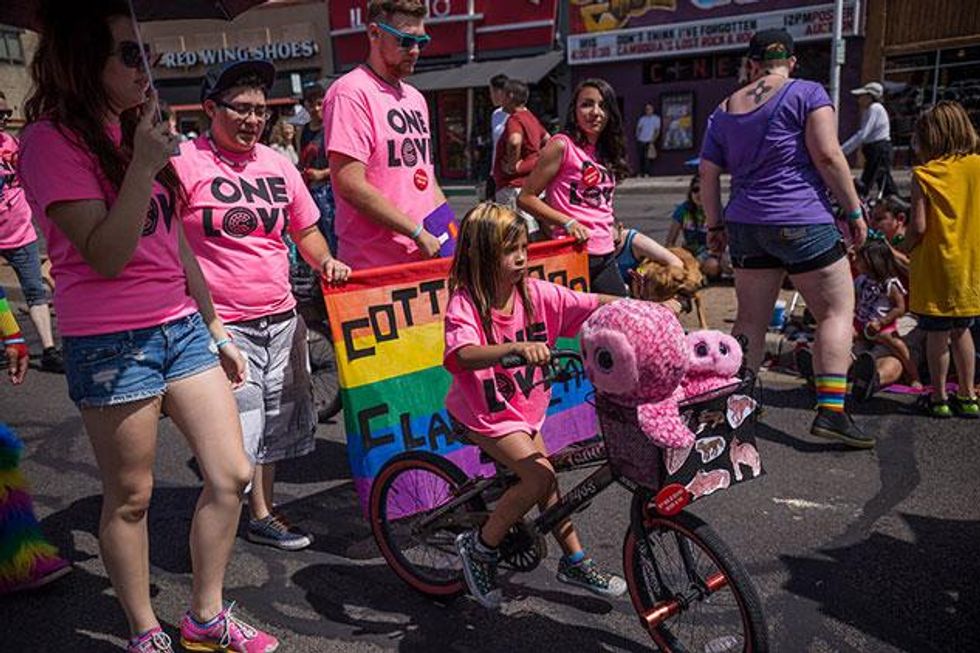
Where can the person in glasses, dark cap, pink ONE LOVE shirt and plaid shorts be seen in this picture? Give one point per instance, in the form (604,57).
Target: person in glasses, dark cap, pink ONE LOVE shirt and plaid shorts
(241,198)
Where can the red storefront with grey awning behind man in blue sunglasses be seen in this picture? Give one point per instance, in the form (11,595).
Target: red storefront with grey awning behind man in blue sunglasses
(472,40)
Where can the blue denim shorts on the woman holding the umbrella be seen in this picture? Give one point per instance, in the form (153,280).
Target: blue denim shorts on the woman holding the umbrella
(126,366)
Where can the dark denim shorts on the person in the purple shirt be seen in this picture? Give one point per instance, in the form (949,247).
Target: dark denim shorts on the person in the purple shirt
(794,248)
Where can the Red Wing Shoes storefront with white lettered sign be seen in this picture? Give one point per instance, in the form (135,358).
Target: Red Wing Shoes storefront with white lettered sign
(292,34)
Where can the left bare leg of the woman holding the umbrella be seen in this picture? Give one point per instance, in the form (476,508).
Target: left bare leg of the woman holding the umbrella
(124,440)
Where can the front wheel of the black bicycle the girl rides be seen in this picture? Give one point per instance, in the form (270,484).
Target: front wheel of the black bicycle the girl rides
(690,591)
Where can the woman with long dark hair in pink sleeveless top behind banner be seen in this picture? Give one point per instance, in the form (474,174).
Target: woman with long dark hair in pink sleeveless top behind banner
(578,171)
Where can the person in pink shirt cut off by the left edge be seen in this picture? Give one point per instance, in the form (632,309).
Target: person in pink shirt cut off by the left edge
(18,244)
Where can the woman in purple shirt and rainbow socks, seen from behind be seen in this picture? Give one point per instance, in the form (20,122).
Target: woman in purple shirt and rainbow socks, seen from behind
(778,138)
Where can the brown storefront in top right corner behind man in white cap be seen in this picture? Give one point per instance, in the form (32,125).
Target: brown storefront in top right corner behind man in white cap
(923,53)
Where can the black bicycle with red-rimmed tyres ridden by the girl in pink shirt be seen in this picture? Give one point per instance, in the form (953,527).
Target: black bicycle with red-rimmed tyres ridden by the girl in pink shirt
(689,590)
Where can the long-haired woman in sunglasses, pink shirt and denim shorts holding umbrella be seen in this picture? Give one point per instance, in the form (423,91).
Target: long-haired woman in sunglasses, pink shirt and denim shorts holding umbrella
(140,331)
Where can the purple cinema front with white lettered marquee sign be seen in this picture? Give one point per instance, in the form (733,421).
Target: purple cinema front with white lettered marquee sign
(684,57)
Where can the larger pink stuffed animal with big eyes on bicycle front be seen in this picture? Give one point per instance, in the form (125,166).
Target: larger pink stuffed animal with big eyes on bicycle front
(636,354)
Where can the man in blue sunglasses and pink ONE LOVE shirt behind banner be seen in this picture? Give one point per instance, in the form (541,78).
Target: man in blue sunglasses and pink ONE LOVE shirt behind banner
(380,147)
